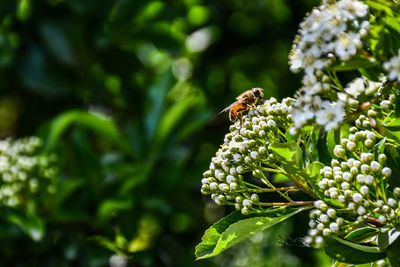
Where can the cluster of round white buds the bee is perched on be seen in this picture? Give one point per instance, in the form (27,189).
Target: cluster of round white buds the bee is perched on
(244,150)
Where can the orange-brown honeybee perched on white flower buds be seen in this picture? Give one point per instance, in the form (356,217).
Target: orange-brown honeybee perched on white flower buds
(244,101)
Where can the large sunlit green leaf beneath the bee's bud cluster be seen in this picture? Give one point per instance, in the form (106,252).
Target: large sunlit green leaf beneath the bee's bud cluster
(237,227)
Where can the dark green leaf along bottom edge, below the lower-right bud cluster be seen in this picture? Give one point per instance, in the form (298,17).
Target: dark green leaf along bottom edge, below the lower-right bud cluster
(346,251)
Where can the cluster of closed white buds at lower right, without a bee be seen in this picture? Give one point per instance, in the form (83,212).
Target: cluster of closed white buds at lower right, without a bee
(354,184)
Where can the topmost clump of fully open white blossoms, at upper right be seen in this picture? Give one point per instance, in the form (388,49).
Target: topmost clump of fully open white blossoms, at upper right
(332,29)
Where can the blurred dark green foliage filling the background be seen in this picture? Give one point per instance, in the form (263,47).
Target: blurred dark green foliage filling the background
(127,94)
